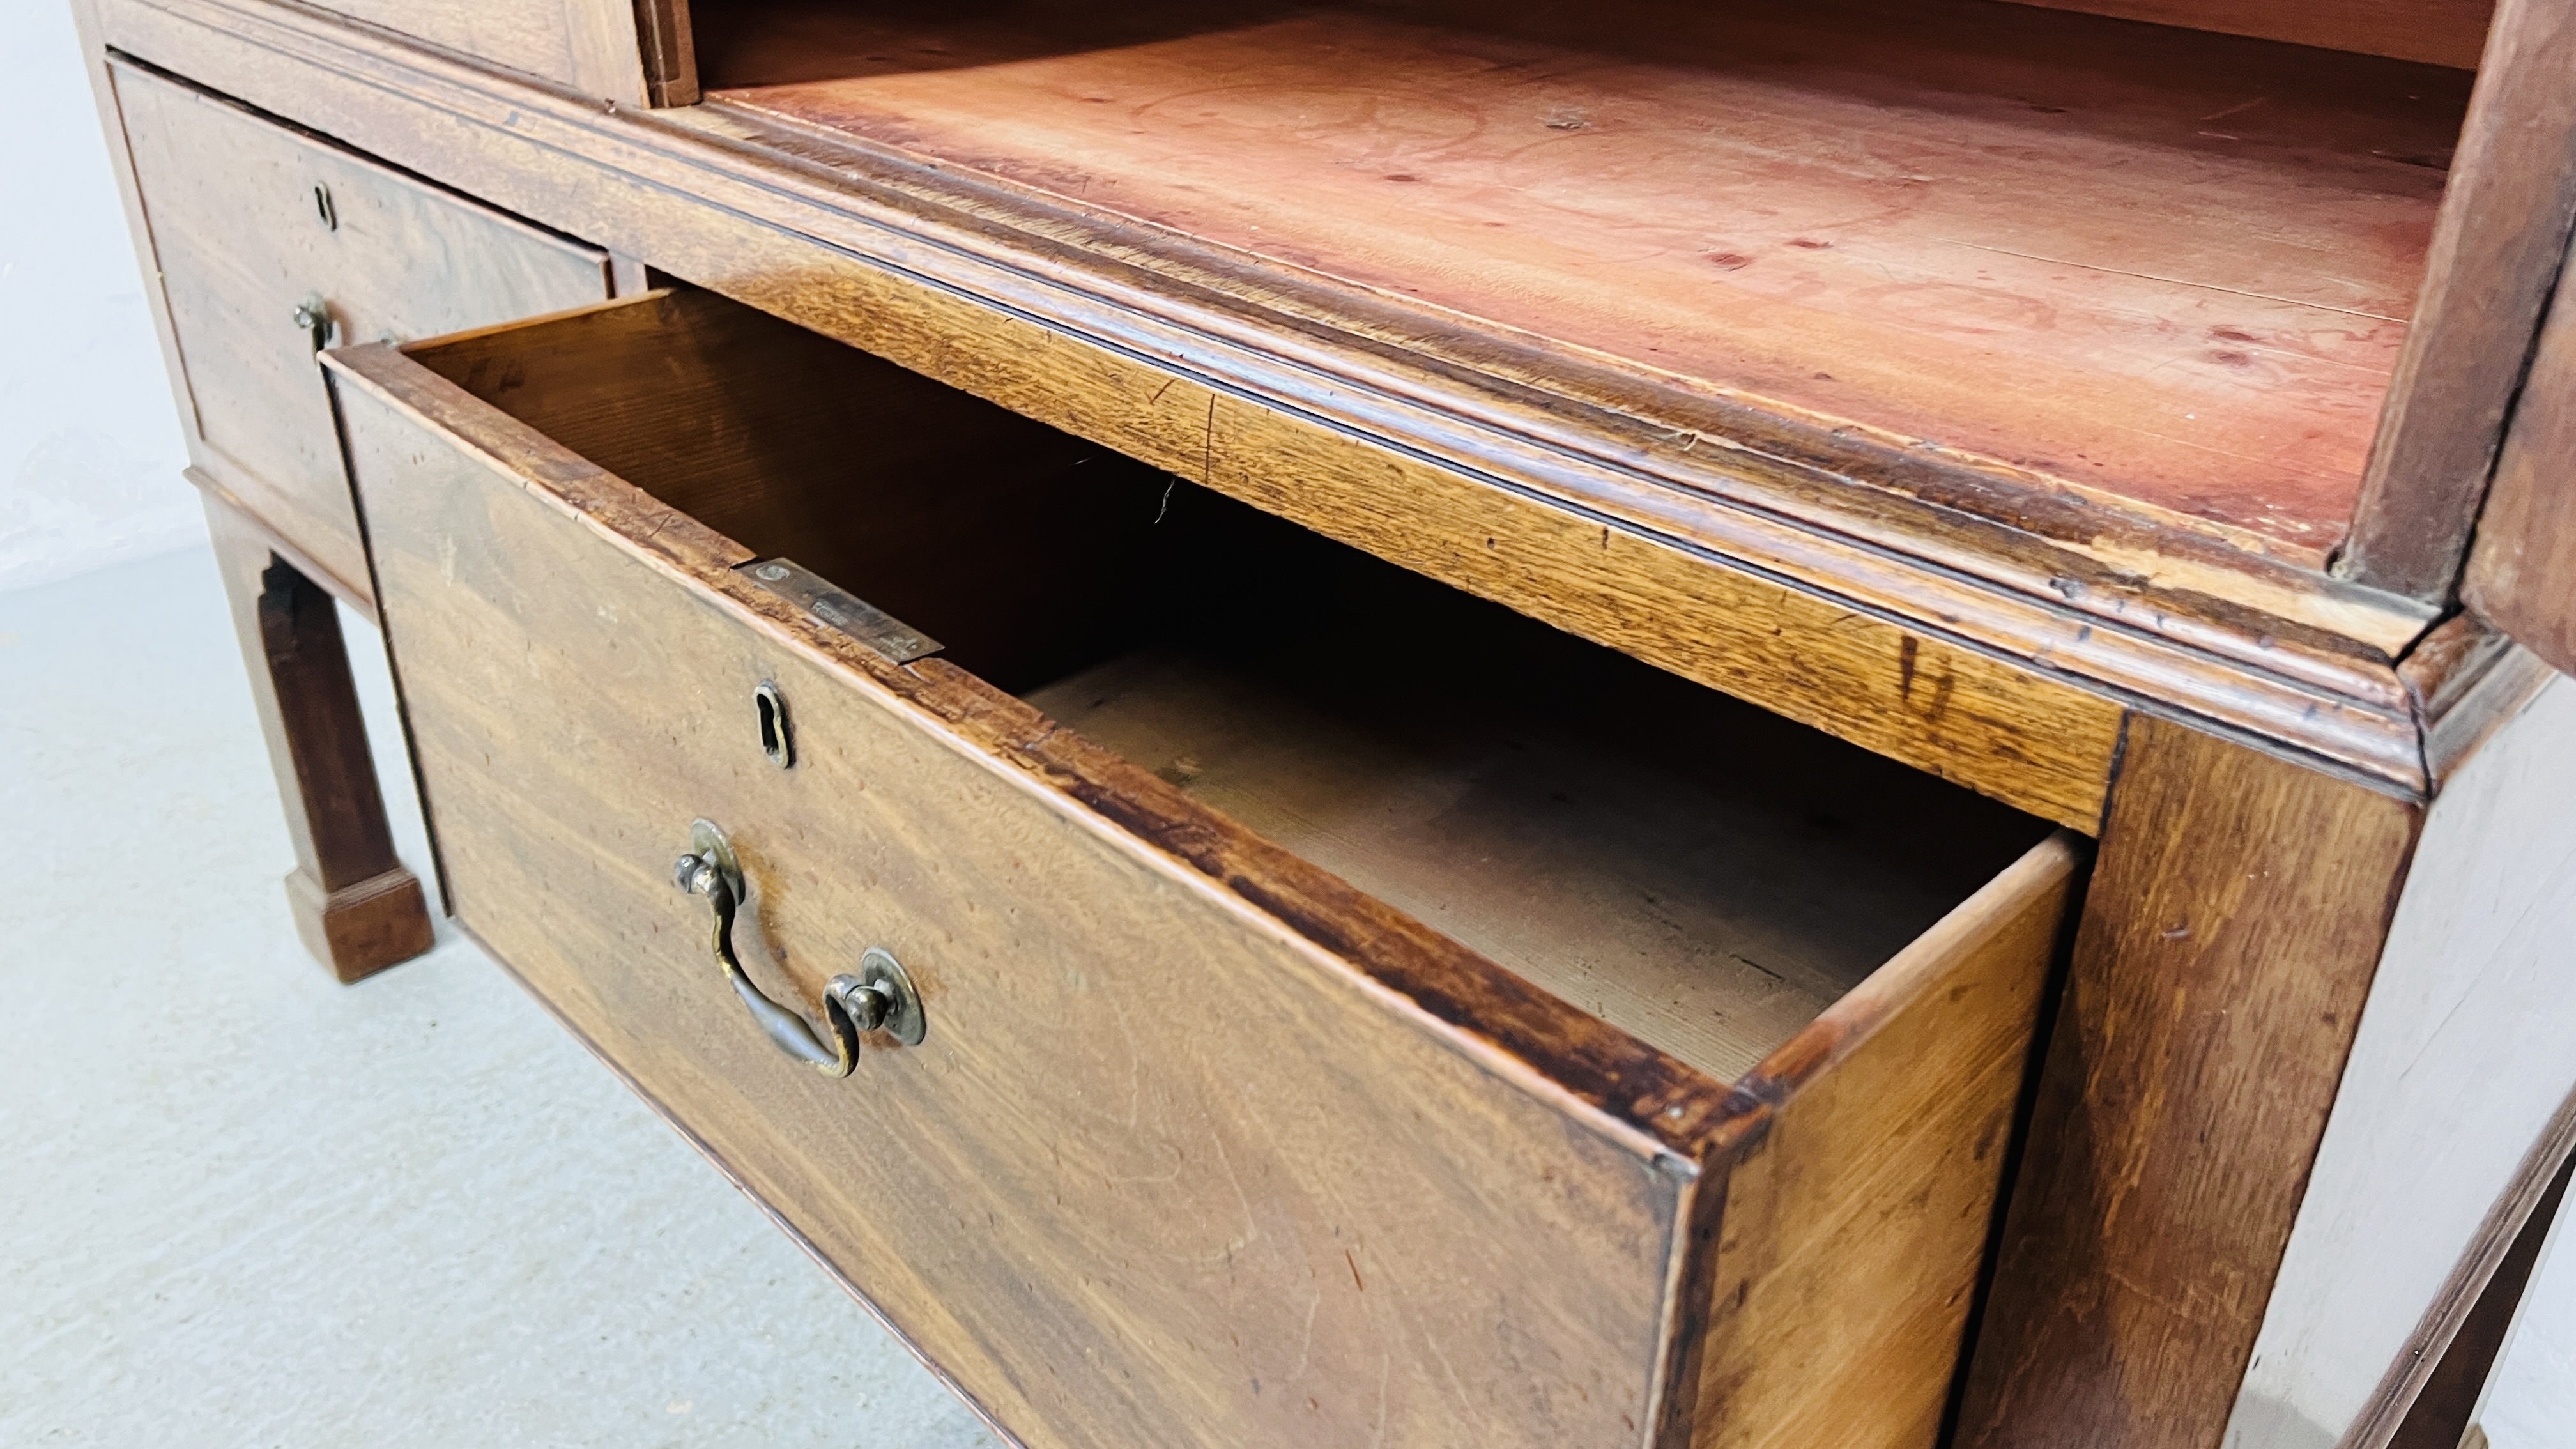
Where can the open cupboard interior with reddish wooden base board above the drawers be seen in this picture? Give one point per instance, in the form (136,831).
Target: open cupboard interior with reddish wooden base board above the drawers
(2160,267)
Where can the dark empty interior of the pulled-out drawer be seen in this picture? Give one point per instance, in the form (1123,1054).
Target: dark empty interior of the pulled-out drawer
(1683,865)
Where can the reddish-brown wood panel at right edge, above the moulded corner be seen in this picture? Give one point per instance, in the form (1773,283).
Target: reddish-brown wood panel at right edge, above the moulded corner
(2523,569)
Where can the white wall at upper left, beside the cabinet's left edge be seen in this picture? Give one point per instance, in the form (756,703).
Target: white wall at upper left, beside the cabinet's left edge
(89,434)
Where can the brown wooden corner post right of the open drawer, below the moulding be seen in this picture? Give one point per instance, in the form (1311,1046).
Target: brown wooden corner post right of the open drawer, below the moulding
(2230,942)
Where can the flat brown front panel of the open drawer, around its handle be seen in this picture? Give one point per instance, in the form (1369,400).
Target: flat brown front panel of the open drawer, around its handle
(1163,1172)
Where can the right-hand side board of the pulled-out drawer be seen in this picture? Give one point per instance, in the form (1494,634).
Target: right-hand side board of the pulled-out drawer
(1859,1223)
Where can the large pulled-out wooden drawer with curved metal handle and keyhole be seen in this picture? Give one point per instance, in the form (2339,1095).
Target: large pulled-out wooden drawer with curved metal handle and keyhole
(1349,1012)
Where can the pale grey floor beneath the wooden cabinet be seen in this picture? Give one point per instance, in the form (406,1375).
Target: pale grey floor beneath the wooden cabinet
(246,1205)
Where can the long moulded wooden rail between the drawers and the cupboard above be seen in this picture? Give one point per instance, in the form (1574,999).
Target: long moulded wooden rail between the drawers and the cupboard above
(1269,393)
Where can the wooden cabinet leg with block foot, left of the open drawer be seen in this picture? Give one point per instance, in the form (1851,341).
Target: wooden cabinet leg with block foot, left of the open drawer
(357,906)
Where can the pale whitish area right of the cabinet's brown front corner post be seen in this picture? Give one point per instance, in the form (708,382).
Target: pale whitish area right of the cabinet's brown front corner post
(2456,1071)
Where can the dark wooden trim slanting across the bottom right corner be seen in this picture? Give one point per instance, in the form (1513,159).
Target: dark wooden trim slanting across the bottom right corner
(2430,1391)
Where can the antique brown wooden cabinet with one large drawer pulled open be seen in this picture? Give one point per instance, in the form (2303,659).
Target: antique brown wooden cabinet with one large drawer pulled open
(1403,723)
